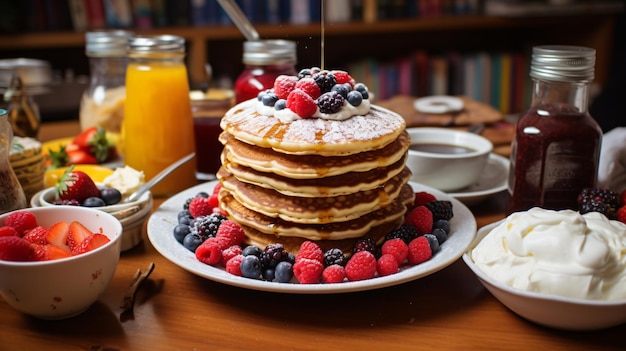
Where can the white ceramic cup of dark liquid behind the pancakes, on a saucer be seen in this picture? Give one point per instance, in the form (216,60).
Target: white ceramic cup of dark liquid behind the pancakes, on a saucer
(447,171)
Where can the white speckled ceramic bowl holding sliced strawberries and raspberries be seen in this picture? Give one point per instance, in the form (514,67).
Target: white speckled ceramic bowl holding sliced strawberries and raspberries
(63,288)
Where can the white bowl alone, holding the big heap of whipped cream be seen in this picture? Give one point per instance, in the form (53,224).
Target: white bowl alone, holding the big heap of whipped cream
(549,310)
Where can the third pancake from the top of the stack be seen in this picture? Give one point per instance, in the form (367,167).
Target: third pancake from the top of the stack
(343,184)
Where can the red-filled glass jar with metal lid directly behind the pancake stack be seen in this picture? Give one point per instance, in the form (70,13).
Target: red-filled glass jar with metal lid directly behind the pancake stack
(264,60)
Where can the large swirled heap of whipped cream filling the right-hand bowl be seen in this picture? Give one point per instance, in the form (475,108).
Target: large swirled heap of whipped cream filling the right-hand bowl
(557,252)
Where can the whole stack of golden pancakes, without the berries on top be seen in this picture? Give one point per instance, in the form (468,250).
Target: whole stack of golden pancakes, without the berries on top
(332,182)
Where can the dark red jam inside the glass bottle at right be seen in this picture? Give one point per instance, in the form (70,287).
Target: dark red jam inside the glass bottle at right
(555,155)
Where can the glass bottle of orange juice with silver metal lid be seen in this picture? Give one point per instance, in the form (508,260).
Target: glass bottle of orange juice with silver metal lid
(157,129)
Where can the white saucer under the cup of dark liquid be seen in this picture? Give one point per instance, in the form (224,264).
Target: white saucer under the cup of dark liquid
(492,181)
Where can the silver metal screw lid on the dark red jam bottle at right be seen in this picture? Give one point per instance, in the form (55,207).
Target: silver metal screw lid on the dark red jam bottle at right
(563,63)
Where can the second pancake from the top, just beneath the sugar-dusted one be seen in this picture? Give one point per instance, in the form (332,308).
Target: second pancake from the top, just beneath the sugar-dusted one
(311,166)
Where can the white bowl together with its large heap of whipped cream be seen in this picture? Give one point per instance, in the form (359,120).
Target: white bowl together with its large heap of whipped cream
(558,269)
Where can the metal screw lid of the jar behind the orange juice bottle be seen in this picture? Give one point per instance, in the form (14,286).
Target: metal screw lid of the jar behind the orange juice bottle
(107,43)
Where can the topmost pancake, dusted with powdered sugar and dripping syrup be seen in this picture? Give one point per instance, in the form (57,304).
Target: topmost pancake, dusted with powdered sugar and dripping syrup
(313,136)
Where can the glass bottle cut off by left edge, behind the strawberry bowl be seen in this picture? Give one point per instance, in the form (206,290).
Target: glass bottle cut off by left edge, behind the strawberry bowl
(12,195)
